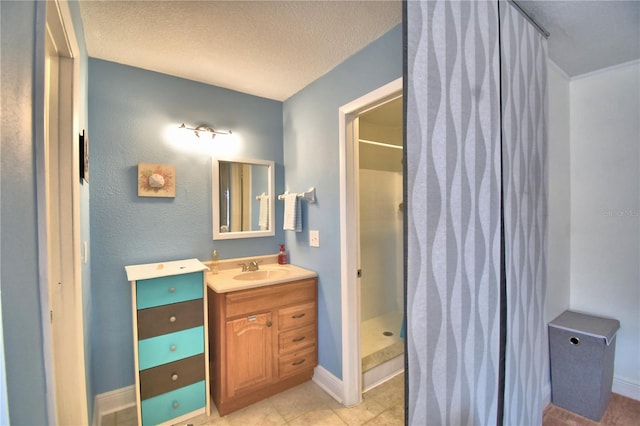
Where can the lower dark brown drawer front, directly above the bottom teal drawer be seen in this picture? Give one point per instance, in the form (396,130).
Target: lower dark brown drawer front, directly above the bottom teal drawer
(164,378)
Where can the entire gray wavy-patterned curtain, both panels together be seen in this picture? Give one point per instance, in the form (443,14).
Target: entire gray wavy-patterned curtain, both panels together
(454,188)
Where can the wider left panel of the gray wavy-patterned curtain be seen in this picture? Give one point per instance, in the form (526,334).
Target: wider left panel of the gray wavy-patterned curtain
(453,168)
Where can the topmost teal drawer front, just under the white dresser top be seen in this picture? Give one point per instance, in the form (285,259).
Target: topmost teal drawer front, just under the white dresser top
(167,290)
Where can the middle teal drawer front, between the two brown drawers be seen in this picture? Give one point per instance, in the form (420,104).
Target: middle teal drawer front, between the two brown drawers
(170,347)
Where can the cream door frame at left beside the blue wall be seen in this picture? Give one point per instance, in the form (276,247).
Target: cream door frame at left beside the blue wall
(65,374)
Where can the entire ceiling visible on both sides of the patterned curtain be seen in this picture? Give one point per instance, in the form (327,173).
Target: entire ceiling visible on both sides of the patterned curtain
(275,48)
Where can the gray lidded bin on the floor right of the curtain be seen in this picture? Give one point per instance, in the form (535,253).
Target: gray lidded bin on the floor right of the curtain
(582,348)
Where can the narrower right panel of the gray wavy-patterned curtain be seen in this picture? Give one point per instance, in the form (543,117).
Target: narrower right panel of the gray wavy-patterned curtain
(524,153)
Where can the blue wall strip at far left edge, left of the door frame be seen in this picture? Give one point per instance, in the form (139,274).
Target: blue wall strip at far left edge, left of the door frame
(19,252)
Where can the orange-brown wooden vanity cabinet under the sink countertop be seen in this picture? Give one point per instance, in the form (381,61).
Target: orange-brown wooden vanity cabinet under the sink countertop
(262,341)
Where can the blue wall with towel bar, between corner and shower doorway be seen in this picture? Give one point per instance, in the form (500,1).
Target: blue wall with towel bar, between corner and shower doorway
(311,147)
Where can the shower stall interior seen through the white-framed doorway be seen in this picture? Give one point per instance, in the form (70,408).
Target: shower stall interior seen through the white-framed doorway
(381,242)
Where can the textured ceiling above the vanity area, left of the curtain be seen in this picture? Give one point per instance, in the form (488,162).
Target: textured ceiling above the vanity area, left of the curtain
(270,49)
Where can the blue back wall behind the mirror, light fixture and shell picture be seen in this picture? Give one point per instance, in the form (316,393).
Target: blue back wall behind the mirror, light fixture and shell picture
(133,117)
